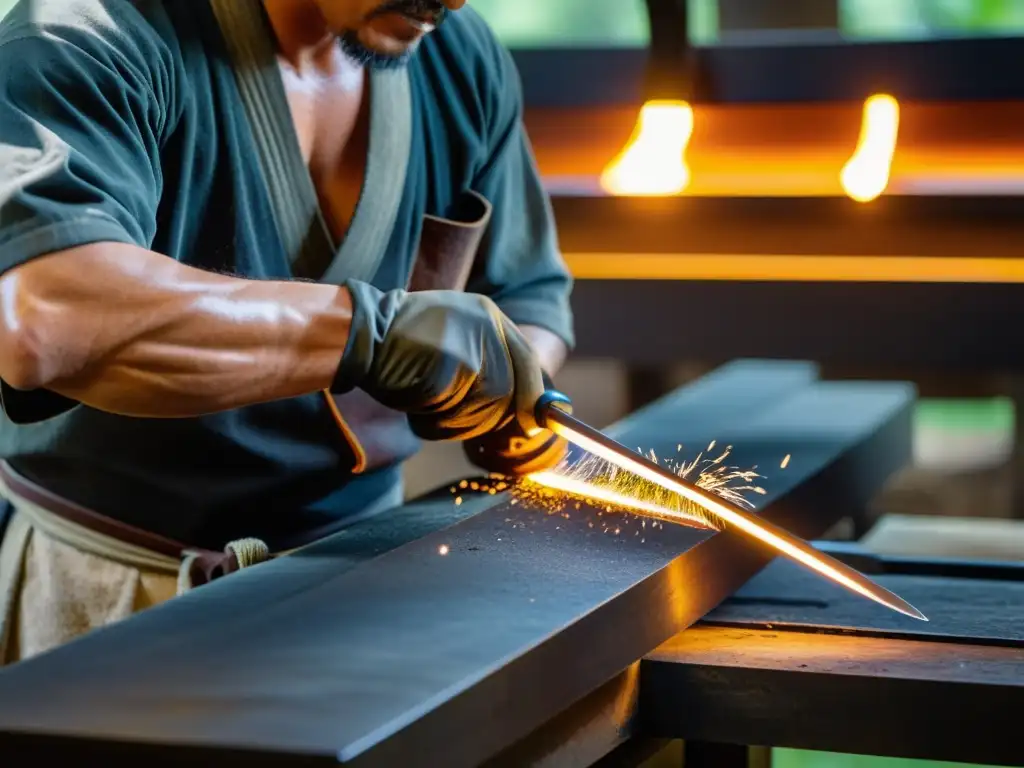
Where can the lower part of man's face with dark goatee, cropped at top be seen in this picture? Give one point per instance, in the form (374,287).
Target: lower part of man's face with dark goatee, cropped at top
(385,33)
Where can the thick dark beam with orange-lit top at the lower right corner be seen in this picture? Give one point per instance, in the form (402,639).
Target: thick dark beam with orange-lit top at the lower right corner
(940,701)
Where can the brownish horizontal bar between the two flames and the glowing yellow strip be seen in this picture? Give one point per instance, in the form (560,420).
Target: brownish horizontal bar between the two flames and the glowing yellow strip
(968,227)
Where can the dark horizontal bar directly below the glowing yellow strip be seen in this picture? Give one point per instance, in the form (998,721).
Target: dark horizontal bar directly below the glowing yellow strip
(842,323)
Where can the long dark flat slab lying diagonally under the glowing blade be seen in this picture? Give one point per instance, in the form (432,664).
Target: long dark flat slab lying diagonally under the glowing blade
(328,656)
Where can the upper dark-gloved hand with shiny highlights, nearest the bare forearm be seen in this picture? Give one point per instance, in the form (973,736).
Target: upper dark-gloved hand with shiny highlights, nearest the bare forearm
(452,361)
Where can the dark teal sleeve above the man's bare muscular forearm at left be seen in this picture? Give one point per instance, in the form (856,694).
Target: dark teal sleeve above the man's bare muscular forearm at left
(78,145)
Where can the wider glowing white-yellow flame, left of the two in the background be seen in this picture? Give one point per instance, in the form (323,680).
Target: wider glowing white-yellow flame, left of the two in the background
(655,159)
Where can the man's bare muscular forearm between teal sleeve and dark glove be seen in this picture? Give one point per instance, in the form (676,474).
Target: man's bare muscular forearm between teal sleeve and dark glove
(132,332)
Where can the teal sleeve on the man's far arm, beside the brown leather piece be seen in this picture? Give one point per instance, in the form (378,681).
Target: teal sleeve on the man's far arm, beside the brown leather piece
(521,266)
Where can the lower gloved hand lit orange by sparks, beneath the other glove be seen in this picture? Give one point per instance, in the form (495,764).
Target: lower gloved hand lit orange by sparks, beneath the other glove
(510,451)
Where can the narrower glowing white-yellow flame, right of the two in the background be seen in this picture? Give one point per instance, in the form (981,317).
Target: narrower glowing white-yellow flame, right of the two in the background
(866,176)
